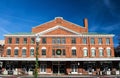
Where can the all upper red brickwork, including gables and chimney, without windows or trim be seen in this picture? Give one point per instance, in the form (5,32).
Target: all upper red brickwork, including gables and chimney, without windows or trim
(79,44)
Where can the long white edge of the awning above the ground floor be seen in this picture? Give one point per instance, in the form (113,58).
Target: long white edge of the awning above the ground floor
(58,59)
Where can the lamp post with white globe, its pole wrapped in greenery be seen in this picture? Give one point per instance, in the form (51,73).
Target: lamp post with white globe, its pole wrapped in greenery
(36,62)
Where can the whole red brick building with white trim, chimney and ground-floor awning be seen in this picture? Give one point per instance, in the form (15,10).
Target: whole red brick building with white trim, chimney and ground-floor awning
(64,48)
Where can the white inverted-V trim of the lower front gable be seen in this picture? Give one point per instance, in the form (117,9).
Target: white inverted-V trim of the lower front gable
(56,27)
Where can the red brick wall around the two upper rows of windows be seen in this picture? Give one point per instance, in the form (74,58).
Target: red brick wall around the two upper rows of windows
(79,47)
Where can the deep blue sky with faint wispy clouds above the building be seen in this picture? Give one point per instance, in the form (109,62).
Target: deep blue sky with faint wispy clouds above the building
(21,15)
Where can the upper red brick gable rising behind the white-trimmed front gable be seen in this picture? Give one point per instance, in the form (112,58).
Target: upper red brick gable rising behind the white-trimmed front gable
(59,21)
